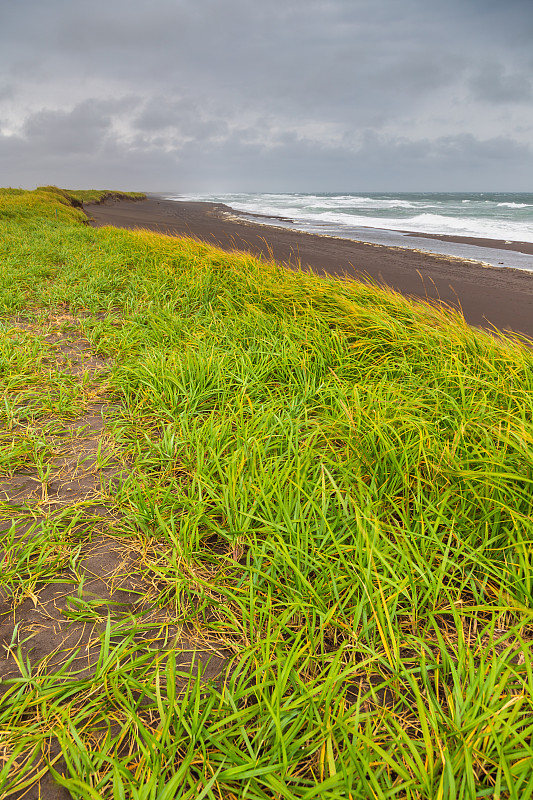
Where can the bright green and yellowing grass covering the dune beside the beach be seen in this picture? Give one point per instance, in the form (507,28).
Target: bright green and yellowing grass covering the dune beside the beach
(323,494)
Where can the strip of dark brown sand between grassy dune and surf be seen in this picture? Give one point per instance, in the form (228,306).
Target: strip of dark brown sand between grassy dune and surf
(487,296)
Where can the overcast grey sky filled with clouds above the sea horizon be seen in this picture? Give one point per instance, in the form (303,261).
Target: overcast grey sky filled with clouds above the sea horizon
(198,96)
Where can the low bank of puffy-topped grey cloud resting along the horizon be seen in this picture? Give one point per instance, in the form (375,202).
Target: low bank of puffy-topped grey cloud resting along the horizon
(239,163)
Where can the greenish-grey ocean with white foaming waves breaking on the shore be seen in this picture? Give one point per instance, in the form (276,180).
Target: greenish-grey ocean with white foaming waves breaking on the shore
(391,218)
